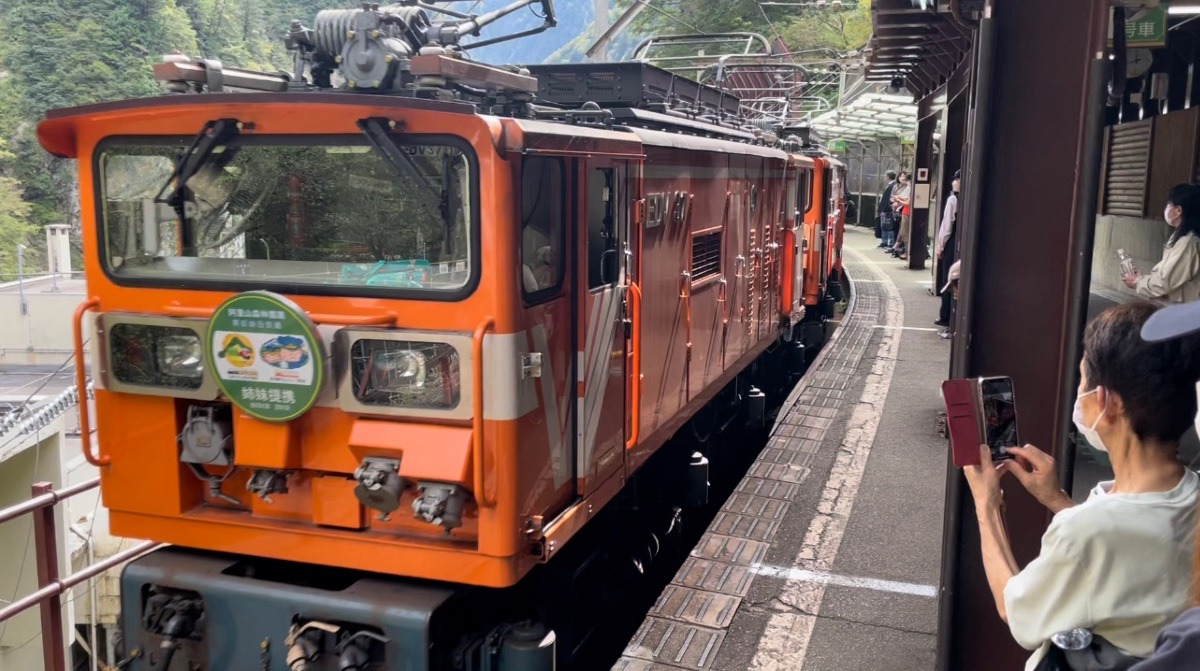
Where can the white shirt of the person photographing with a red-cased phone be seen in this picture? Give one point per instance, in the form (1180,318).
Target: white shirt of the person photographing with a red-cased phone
(1118,565)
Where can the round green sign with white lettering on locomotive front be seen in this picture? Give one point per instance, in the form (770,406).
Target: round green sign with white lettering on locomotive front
(266,356)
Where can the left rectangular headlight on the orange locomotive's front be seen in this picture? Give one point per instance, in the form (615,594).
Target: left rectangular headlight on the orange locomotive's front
(157,356)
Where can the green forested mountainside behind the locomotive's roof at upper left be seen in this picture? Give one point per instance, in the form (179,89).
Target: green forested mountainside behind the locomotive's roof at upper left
(62,53)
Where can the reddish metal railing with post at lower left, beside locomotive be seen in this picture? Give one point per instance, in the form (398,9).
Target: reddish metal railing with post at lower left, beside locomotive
(50,585)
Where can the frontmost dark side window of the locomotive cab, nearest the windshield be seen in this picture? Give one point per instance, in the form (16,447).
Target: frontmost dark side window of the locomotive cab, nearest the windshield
(542,226)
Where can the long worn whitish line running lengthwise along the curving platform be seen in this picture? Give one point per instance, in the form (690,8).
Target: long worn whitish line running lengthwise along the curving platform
(785,640)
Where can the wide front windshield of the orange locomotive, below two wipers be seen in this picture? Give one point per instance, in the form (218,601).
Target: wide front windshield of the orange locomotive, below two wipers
(292,214)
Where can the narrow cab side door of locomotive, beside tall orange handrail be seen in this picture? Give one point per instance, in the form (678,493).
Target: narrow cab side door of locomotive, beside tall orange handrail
(604,235)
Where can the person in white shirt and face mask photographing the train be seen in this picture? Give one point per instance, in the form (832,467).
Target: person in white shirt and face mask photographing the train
(1118,565)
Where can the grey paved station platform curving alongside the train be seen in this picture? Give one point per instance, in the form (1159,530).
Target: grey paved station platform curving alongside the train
(829,555)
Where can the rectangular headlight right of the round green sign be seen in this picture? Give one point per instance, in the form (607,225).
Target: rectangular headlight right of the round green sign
(405,374)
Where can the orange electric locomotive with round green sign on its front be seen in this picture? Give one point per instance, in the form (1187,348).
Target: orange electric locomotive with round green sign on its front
(405,315)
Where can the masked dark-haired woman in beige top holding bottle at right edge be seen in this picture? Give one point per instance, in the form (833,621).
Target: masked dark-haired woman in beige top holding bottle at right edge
(1177,279)
